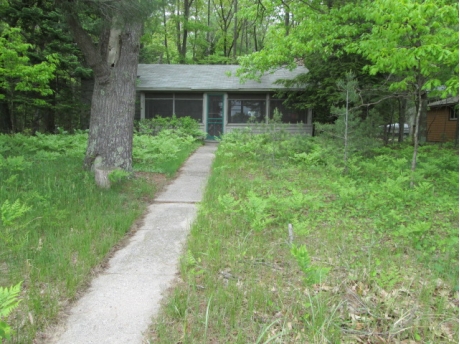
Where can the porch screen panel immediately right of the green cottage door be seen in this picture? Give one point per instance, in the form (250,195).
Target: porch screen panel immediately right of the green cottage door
(244,108)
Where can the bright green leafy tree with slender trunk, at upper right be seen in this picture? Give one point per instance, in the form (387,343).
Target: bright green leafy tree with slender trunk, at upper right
(417,41)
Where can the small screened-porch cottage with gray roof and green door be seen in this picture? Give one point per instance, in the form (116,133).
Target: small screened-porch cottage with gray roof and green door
(214,96)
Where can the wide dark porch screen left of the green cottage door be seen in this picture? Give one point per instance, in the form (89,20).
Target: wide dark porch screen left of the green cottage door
(180,104)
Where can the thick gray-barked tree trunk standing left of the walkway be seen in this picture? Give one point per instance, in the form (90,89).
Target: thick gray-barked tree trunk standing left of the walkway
(113,101)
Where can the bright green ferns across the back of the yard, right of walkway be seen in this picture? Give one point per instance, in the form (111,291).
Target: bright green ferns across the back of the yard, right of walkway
(377,184)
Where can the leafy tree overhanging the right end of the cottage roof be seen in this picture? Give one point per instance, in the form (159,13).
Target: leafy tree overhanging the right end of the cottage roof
(312,36)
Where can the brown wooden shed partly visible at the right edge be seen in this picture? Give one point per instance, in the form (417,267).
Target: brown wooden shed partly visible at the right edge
(442,120)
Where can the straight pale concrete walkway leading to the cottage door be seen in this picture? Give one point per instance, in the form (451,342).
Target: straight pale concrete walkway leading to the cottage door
(121,301)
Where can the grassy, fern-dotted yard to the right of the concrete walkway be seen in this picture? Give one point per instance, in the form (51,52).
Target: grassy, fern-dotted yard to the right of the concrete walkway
(291,247)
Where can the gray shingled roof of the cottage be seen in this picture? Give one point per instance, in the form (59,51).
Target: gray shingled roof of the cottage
(168,77)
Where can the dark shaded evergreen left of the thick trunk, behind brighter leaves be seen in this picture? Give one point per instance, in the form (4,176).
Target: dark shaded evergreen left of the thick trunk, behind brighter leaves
(43,28)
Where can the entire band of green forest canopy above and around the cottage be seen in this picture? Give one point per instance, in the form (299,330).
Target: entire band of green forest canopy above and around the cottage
(395,48)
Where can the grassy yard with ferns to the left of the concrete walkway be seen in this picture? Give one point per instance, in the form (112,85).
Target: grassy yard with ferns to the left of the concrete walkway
(57,227)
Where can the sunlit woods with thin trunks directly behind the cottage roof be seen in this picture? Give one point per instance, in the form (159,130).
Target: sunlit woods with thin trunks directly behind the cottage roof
(205,31)
